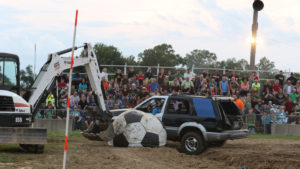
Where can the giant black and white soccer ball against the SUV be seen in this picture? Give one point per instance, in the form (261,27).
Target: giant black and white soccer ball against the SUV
(138,129)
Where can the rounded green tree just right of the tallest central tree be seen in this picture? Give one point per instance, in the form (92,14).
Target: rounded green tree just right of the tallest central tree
(200,58)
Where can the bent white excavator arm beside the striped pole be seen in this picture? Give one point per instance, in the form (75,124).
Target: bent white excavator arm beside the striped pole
(56,64)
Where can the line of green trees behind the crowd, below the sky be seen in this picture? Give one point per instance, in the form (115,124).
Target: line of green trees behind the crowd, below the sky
(164,55)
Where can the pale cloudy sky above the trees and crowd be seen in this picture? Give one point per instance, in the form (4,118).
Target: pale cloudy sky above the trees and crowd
(220,26)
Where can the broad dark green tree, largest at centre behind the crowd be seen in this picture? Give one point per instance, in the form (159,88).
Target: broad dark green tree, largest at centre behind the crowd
(163,54)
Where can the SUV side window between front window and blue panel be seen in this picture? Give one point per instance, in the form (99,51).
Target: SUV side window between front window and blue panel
(178,106)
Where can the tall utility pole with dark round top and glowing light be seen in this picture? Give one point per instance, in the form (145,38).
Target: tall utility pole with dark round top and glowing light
(257,6)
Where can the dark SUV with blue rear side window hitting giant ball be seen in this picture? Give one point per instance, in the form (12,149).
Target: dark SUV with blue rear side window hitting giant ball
(196,121)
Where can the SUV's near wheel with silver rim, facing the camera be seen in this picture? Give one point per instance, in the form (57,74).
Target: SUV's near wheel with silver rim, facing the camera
(192,143)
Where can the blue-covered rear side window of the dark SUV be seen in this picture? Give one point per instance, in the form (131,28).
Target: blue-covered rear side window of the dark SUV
(204,107)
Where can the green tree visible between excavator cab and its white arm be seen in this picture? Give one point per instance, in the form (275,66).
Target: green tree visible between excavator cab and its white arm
(26,77)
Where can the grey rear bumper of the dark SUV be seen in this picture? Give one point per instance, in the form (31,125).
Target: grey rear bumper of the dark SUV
(226,135)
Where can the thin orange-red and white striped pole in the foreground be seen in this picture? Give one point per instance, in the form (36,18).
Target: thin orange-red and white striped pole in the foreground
(69,93)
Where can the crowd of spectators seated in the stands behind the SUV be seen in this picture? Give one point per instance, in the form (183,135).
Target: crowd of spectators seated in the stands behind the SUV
(263,102)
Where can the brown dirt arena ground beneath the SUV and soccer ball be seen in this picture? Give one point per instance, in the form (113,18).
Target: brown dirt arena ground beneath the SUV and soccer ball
(237,154)
